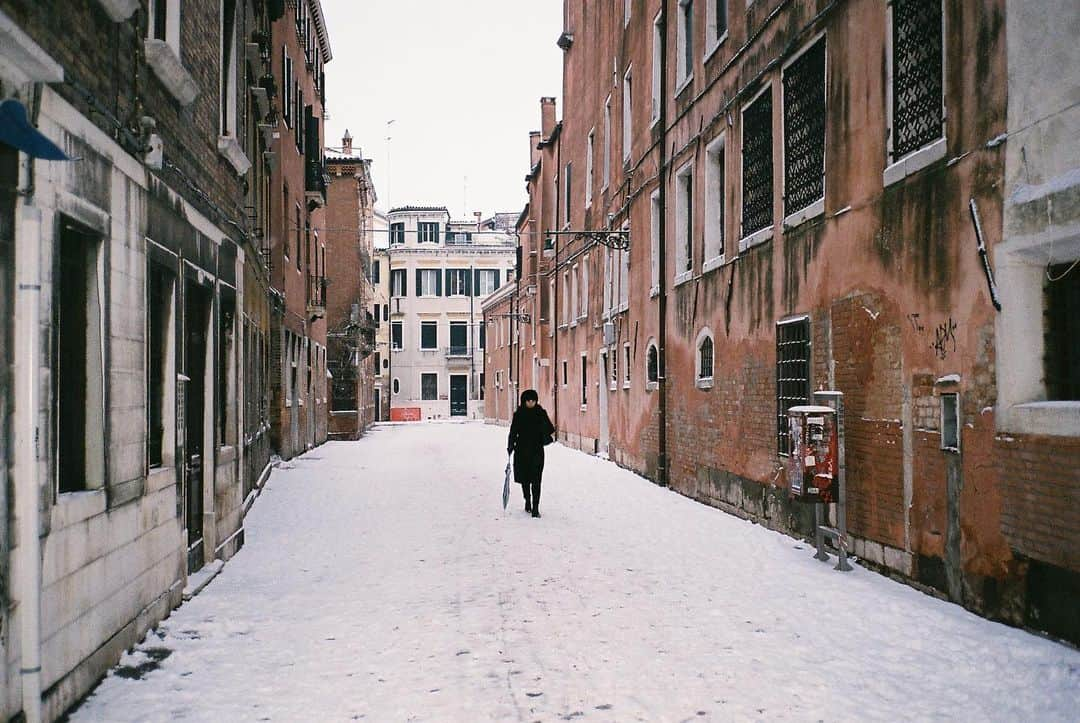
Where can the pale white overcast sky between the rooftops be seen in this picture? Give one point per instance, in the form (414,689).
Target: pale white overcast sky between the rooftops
(462,81)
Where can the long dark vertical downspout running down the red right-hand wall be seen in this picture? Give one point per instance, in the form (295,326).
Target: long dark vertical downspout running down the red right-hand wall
(661,249)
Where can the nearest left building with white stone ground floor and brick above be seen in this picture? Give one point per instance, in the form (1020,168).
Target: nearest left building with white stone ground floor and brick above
(131,439)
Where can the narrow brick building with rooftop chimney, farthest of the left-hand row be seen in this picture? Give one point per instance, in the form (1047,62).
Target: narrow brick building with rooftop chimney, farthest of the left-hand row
(350,294)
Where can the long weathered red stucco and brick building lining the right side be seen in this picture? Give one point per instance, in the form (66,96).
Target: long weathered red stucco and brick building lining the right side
(805,186)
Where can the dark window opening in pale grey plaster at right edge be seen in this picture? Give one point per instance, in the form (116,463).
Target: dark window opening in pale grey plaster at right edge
(1062,329)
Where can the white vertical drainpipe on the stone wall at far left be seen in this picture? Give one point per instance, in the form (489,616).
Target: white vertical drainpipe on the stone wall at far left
(29,491)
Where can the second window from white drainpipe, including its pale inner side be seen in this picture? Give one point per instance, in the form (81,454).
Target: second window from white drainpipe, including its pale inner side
(160,364)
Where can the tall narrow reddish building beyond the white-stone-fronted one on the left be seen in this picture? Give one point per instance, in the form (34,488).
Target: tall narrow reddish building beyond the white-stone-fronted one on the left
(298,247)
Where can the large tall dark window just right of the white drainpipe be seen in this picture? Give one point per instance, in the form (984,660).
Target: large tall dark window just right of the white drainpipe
(78,386)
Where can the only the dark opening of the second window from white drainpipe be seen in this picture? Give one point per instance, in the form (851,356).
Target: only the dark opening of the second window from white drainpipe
(160,304)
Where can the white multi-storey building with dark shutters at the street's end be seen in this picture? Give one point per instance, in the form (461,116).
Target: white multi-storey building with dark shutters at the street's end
(439,274)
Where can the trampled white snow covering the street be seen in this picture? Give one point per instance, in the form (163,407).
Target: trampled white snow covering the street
(382,580)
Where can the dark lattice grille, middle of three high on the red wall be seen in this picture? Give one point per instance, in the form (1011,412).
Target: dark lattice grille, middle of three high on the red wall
(805,129)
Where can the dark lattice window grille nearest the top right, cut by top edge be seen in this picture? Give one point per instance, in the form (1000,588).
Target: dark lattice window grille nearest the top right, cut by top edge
(917,83)
